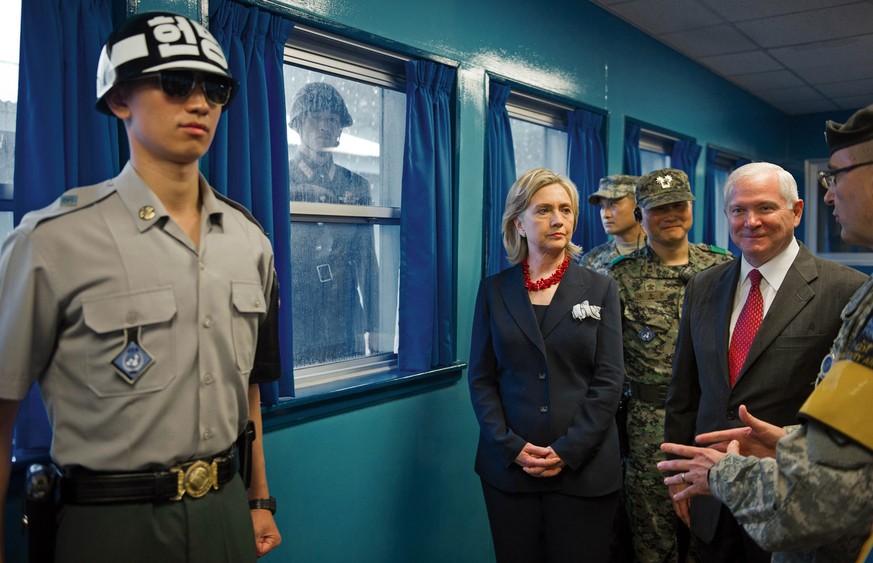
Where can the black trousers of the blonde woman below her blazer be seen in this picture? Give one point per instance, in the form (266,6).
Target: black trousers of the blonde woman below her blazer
(549,527)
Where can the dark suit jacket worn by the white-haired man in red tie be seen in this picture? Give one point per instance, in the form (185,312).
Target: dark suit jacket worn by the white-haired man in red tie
(781,366)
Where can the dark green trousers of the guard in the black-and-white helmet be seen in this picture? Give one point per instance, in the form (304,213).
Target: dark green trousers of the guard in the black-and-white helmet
(216,528)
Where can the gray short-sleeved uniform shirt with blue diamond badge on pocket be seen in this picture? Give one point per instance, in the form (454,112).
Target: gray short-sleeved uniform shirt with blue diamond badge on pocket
(103,265)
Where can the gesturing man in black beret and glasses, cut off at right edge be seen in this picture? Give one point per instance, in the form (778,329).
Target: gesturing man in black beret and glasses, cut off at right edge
(804,492)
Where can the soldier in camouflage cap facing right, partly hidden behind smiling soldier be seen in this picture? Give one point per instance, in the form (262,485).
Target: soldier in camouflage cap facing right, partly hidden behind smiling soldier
(617,202)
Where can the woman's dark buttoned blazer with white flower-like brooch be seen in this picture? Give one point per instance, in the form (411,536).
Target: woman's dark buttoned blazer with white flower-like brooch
(557,387)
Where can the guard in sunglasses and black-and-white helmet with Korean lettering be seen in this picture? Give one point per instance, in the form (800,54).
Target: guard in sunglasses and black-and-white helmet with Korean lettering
(138,305)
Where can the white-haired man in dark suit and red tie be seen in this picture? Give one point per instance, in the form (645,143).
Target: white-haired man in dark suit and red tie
(727,355)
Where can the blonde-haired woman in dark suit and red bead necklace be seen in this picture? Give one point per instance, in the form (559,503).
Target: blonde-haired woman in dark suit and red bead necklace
(545,378)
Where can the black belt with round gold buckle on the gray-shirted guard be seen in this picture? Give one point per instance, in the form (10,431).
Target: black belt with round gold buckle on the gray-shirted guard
(194,478)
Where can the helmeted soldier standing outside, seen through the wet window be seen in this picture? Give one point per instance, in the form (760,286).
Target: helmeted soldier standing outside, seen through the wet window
(335,272)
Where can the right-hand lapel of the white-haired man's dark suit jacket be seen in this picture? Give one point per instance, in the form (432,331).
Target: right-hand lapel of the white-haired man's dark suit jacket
(794,294)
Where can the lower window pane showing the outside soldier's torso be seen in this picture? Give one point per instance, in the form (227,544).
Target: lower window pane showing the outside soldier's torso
(344,282)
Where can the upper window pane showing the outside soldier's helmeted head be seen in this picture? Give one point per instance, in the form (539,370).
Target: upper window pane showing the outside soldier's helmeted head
(369,124)
